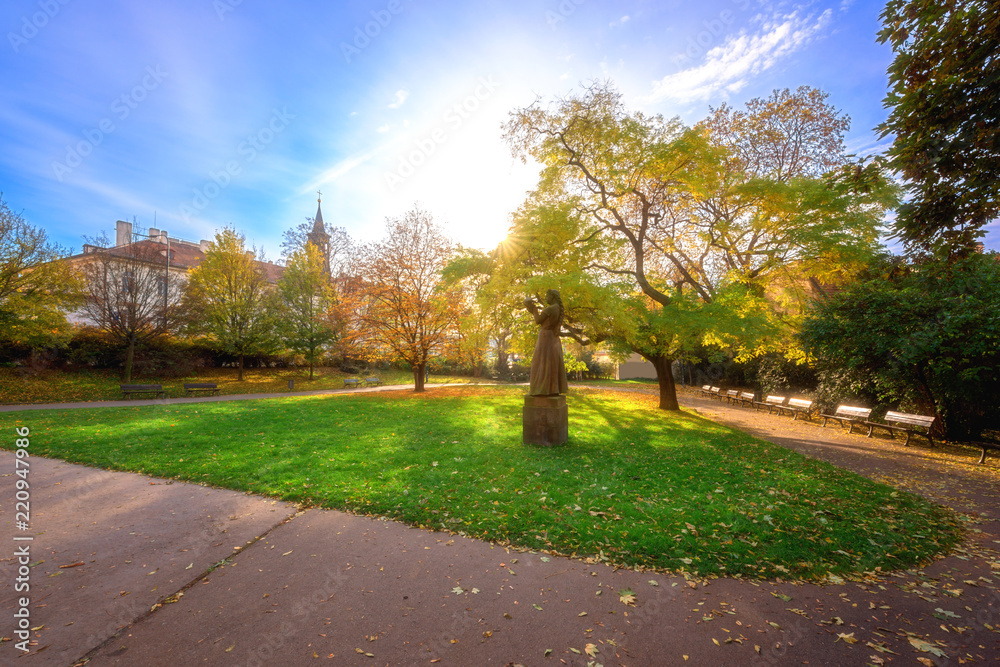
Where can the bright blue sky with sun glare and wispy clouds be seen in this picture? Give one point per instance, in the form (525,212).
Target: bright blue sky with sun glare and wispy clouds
(193,114)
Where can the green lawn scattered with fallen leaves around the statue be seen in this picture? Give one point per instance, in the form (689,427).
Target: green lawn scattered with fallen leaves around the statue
(634,485)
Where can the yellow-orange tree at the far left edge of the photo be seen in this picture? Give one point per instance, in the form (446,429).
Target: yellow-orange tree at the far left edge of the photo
(36,286)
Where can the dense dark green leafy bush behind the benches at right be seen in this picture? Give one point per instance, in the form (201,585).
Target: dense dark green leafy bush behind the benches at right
(922,335)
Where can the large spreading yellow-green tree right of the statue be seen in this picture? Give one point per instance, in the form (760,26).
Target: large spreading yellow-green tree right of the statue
(697,228)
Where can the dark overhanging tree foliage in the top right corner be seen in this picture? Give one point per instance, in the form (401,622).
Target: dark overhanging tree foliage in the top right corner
(945,119)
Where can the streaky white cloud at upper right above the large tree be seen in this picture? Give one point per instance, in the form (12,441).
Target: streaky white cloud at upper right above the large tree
(729,67)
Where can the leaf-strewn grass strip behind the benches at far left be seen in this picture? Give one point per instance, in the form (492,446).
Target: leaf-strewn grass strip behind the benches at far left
(52,386)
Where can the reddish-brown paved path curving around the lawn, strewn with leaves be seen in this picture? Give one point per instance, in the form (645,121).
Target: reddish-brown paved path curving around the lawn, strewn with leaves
(133,570)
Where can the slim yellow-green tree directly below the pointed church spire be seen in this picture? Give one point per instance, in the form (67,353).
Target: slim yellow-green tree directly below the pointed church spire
(308,323)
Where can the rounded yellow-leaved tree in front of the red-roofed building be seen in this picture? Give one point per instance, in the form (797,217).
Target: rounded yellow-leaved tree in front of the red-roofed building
(230,295)
